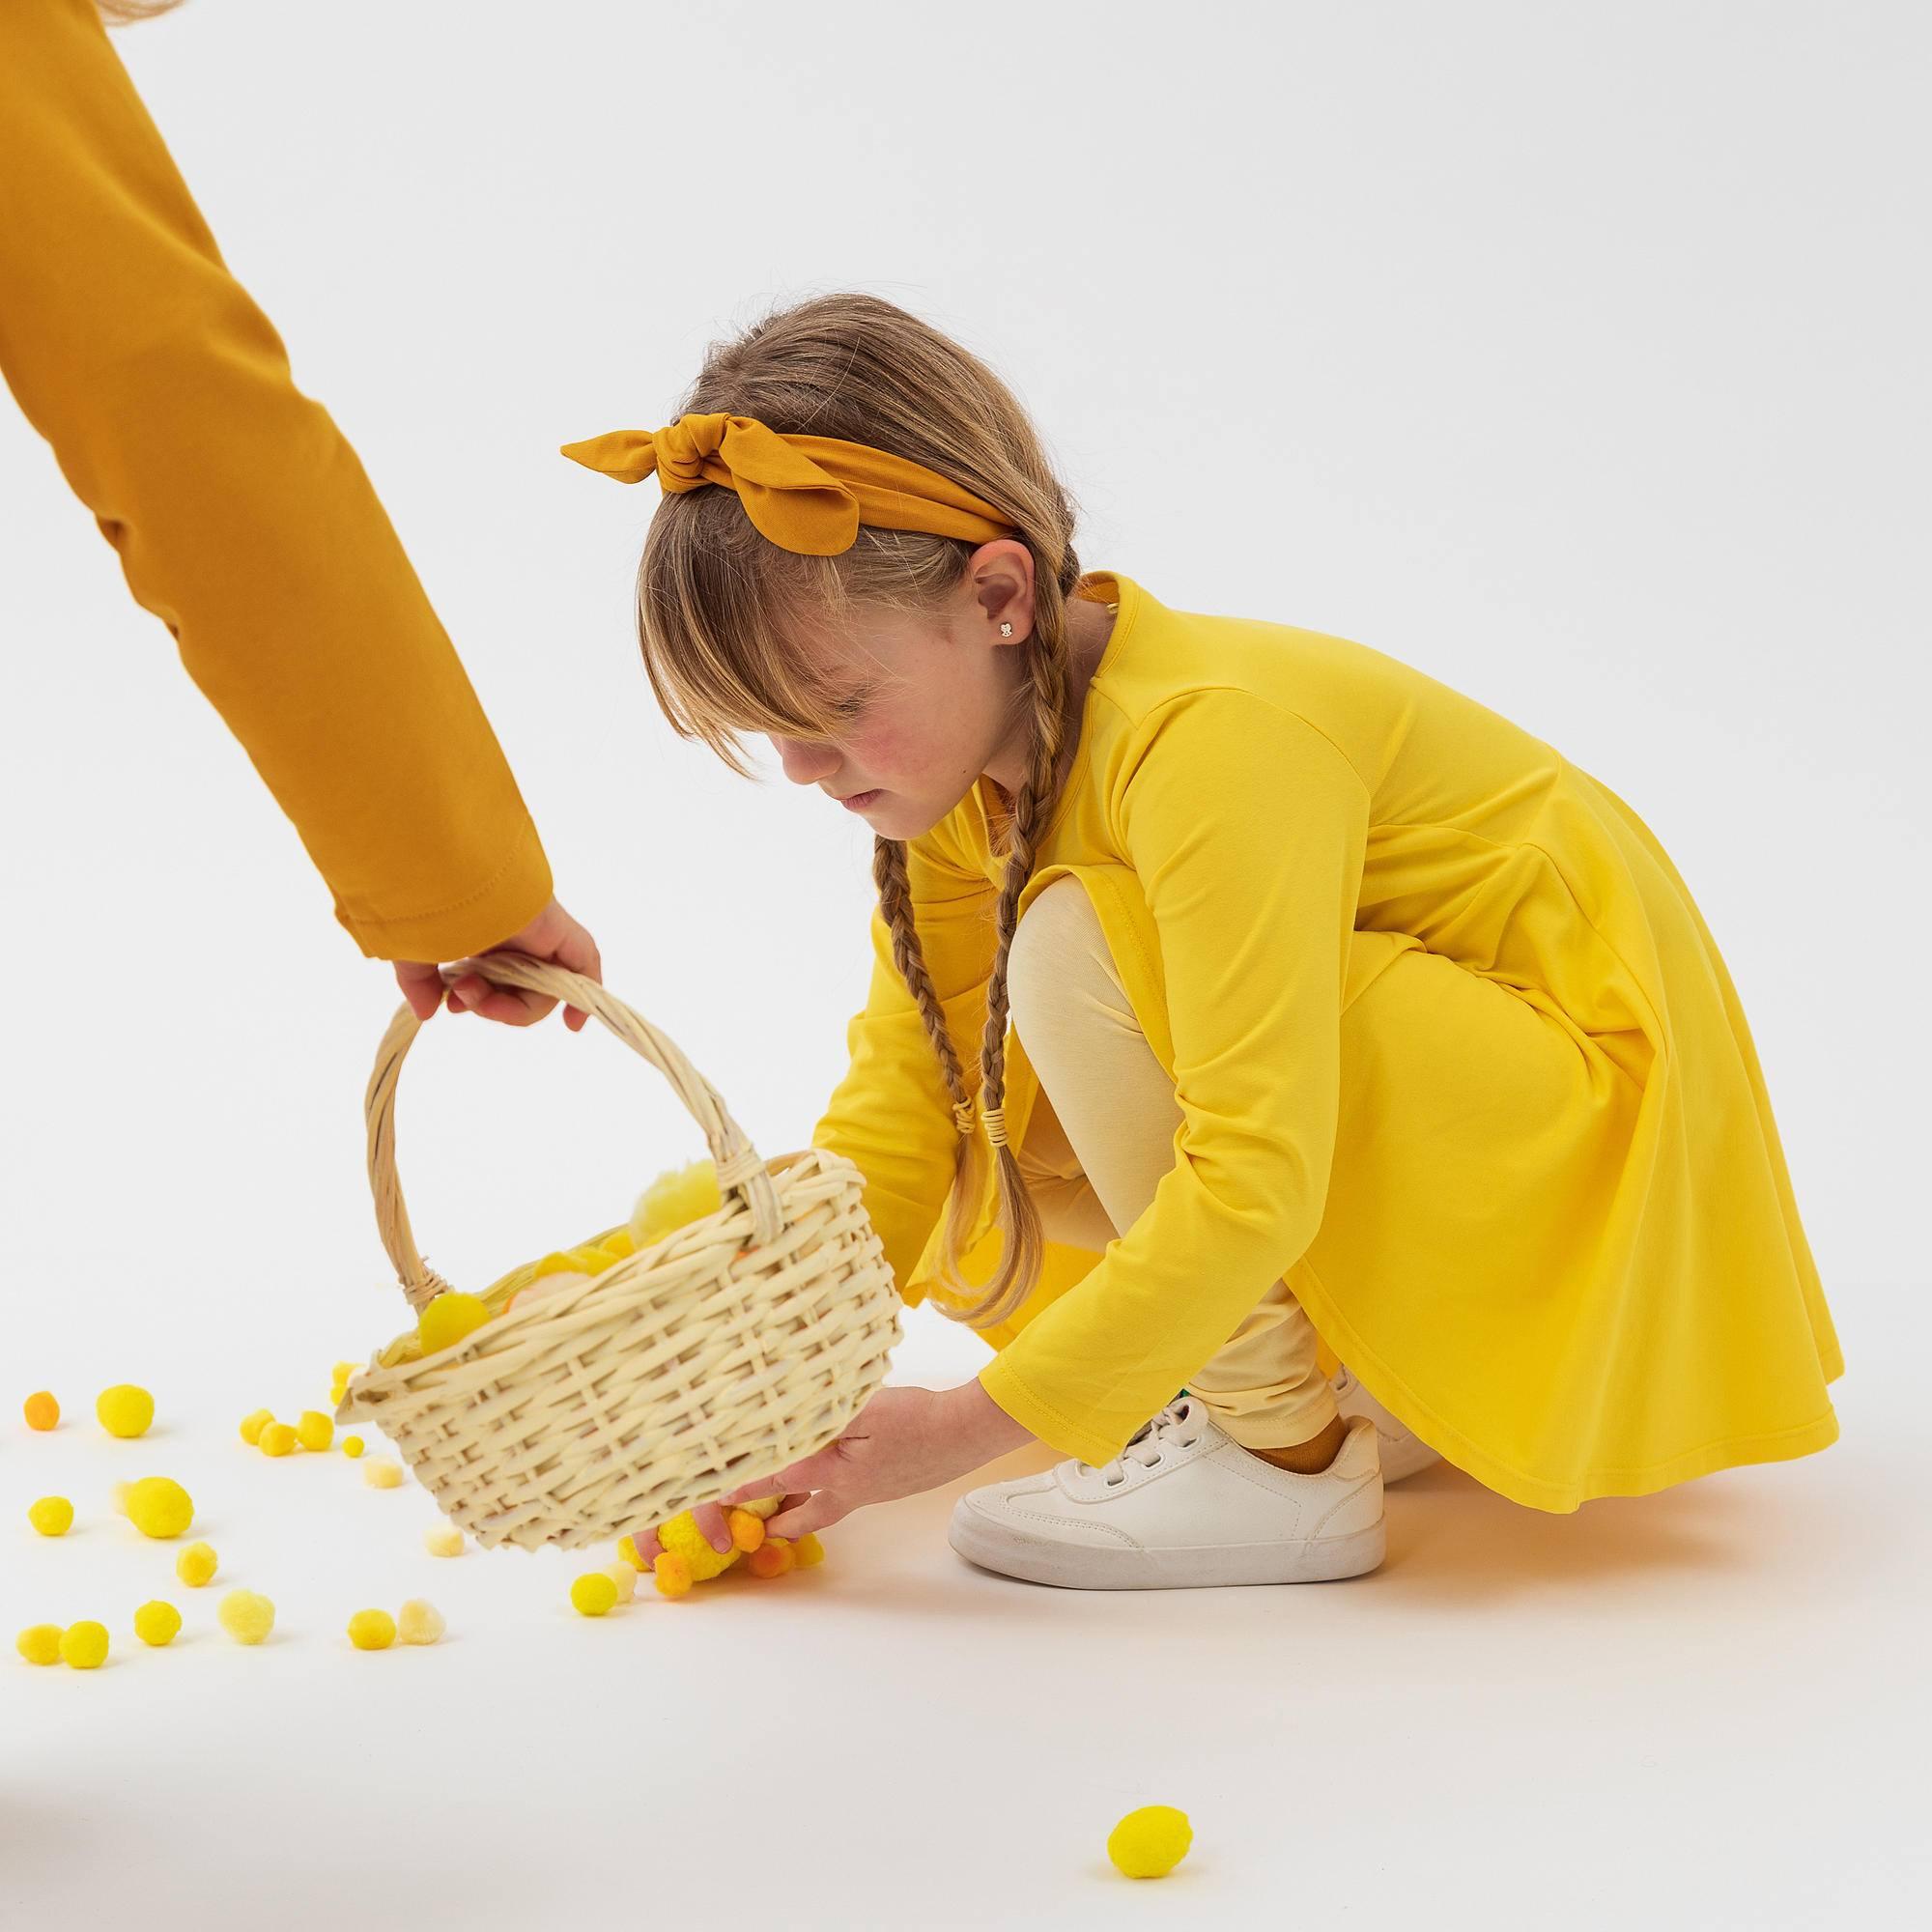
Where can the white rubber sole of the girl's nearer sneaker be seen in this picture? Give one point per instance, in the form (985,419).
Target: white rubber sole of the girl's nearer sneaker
(1081,1568)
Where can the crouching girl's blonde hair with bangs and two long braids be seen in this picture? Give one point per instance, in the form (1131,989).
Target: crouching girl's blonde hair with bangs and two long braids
(722,613)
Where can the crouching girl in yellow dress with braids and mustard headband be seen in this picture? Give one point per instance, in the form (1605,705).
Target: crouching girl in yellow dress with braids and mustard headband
(1348,1019)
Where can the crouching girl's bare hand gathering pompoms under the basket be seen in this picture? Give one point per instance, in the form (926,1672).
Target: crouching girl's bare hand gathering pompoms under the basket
(899,1444)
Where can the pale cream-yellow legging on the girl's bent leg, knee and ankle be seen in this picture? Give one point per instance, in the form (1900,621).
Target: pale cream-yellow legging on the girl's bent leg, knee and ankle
(1100,1139)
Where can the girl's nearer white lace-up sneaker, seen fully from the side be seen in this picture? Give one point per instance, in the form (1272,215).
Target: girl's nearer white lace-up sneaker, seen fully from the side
(1181,1508)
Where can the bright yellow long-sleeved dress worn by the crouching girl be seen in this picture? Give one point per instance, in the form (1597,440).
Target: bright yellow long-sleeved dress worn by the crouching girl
(1456,1054)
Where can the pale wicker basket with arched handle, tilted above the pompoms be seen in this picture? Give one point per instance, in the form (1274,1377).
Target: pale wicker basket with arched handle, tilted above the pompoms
(725,1351)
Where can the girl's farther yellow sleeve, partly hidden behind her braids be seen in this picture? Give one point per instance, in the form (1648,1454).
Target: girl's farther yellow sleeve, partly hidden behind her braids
(892,1114)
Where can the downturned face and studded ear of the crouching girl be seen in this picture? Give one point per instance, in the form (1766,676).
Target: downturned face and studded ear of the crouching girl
(934,702)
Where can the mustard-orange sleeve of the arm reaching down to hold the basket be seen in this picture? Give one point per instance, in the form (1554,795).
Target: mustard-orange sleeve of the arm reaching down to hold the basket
(241,515)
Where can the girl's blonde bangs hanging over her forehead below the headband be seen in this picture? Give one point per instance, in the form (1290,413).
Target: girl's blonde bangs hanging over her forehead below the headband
(727,625)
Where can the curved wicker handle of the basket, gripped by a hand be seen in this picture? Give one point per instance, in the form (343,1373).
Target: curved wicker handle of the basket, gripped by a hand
(739,1164)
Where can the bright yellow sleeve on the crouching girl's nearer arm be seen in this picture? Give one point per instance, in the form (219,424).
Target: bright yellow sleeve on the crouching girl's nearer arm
(1247,830)
